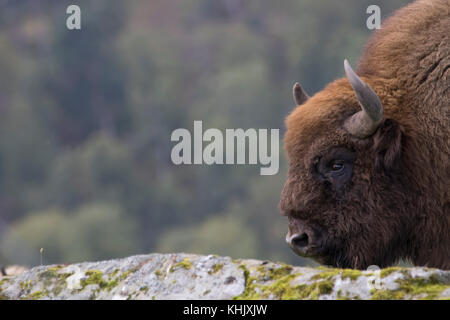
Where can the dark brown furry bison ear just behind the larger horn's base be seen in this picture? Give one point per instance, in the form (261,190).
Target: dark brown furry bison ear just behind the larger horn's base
(387,144)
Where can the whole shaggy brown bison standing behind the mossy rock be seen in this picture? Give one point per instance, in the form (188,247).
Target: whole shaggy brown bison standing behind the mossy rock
(368,176)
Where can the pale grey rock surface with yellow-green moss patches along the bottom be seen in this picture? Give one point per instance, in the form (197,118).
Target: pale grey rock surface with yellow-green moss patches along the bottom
(187,276)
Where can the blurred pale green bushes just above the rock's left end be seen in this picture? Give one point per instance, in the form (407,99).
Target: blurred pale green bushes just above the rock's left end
(94,231)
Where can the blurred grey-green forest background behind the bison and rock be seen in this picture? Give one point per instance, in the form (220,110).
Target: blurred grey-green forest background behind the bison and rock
(86,118)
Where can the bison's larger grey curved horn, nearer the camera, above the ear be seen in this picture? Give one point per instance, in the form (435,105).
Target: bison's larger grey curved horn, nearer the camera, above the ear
(363,123)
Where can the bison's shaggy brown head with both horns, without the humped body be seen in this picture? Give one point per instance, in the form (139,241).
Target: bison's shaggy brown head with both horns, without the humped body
(344,196)
